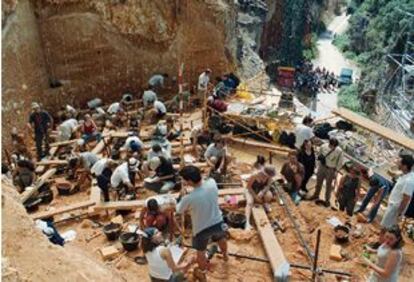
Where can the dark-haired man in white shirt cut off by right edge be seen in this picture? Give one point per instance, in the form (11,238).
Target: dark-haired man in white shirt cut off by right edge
(401,194)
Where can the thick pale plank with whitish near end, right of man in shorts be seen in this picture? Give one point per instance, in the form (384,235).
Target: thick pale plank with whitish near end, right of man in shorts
(274,252)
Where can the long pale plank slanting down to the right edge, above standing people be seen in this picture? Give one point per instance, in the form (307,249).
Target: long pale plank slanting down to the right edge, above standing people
(375,128)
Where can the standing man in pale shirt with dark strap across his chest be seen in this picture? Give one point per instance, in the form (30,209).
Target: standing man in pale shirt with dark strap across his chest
(330,162)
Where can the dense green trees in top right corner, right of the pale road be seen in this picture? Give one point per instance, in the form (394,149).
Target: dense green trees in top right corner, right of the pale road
(376,28)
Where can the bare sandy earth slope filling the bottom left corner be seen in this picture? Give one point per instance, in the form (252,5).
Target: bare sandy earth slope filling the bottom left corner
(27,255)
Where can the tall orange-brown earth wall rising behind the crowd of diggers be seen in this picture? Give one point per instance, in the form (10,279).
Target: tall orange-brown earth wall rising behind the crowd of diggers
(104,48)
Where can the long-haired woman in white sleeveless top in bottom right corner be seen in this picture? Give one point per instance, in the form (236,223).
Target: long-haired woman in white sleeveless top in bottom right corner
(389,257)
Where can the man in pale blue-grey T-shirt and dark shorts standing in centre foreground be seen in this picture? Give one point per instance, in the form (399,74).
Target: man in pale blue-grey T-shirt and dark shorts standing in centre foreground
(206,216)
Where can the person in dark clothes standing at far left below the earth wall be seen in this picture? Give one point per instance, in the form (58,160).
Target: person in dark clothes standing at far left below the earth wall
(40,122)
